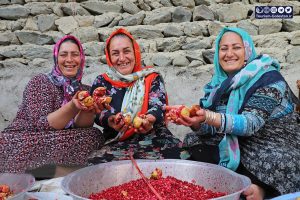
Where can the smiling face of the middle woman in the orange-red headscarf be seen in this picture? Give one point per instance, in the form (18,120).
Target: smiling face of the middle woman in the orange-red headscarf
(121,54)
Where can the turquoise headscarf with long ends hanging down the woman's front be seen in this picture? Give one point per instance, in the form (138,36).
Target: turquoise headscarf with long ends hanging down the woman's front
(255,66)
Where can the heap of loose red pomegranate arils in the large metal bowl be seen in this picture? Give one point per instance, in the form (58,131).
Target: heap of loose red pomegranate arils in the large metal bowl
(168,188)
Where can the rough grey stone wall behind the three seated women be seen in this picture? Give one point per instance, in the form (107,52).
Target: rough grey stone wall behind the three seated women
(176,36)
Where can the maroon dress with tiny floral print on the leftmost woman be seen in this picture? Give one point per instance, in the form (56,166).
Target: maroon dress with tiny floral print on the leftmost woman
(29,142)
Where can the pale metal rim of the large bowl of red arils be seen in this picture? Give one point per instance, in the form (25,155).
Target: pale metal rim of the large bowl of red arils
(121,162)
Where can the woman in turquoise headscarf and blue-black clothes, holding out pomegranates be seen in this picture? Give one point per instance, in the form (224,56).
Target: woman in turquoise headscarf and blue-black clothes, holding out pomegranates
(247,122)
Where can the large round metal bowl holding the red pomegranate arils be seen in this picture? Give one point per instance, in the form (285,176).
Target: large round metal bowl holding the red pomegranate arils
(81,183)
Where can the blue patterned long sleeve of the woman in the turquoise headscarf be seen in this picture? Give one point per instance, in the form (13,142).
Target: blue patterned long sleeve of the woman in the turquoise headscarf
(265,104)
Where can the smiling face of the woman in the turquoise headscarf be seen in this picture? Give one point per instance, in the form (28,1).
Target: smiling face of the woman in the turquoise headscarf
(231,52)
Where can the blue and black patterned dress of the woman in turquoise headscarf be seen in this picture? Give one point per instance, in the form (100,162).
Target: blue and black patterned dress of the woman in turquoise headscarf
(270,154)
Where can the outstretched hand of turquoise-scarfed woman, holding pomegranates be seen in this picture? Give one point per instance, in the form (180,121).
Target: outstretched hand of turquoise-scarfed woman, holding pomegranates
(185,120)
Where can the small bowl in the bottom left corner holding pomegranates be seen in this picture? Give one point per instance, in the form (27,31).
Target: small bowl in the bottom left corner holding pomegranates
(18,183)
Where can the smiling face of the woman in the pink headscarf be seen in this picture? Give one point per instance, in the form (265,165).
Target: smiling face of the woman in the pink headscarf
(69,59)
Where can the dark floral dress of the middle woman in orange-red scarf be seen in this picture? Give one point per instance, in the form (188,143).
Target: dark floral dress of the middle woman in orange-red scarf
(158,144)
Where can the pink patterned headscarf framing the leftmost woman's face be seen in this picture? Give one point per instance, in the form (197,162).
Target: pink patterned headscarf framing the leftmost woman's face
(70,85)
